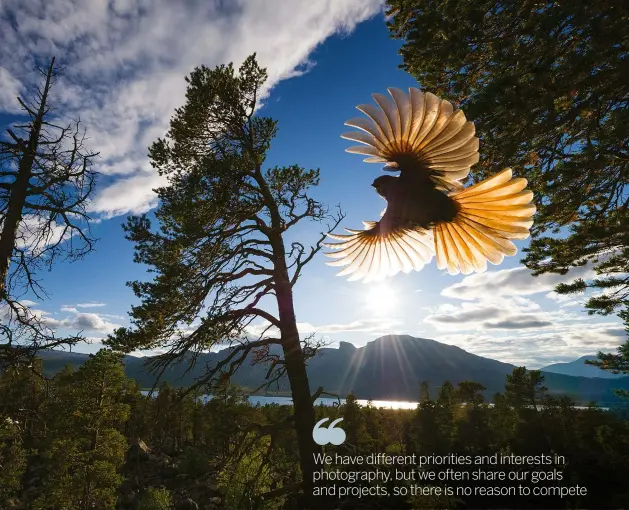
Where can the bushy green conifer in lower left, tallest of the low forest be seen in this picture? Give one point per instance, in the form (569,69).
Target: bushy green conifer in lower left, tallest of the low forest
(86,449)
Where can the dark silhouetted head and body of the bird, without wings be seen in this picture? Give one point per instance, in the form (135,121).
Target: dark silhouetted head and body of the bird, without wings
(413,201)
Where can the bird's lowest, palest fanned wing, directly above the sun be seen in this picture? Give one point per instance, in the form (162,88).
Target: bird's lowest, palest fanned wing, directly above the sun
(373,254)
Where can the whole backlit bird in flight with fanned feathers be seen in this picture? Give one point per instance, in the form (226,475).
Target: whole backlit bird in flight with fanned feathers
(429,212)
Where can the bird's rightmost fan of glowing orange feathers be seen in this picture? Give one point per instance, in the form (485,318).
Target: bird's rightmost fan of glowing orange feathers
(491,213)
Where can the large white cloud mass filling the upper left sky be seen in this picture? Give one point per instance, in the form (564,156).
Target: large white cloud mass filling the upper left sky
(126,61)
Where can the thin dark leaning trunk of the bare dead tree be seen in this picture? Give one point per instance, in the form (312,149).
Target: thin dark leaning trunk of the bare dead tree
(19,188)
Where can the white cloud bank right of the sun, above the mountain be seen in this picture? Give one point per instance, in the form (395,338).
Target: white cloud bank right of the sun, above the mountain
(492,317)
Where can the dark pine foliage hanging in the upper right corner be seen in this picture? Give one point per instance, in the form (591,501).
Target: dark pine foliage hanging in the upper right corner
(548,89)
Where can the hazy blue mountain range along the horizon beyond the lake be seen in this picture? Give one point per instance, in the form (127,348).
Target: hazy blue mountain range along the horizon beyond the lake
(388,368)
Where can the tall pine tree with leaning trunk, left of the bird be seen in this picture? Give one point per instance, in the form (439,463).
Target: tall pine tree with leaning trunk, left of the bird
(220,256)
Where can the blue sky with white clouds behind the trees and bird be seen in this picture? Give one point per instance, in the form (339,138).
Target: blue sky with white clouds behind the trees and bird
(125,66)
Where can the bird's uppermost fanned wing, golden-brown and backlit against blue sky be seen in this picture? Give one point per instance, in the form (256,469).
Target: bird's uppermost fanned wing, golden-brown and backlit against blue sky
(420,127)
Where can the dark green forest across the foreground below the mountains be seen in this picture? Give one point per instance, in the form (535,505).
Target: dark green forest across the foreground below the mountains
(225,449)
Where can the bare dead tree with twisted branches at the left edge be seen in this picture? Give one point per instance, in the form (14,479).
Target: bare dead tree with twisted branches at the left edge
(42,207)
